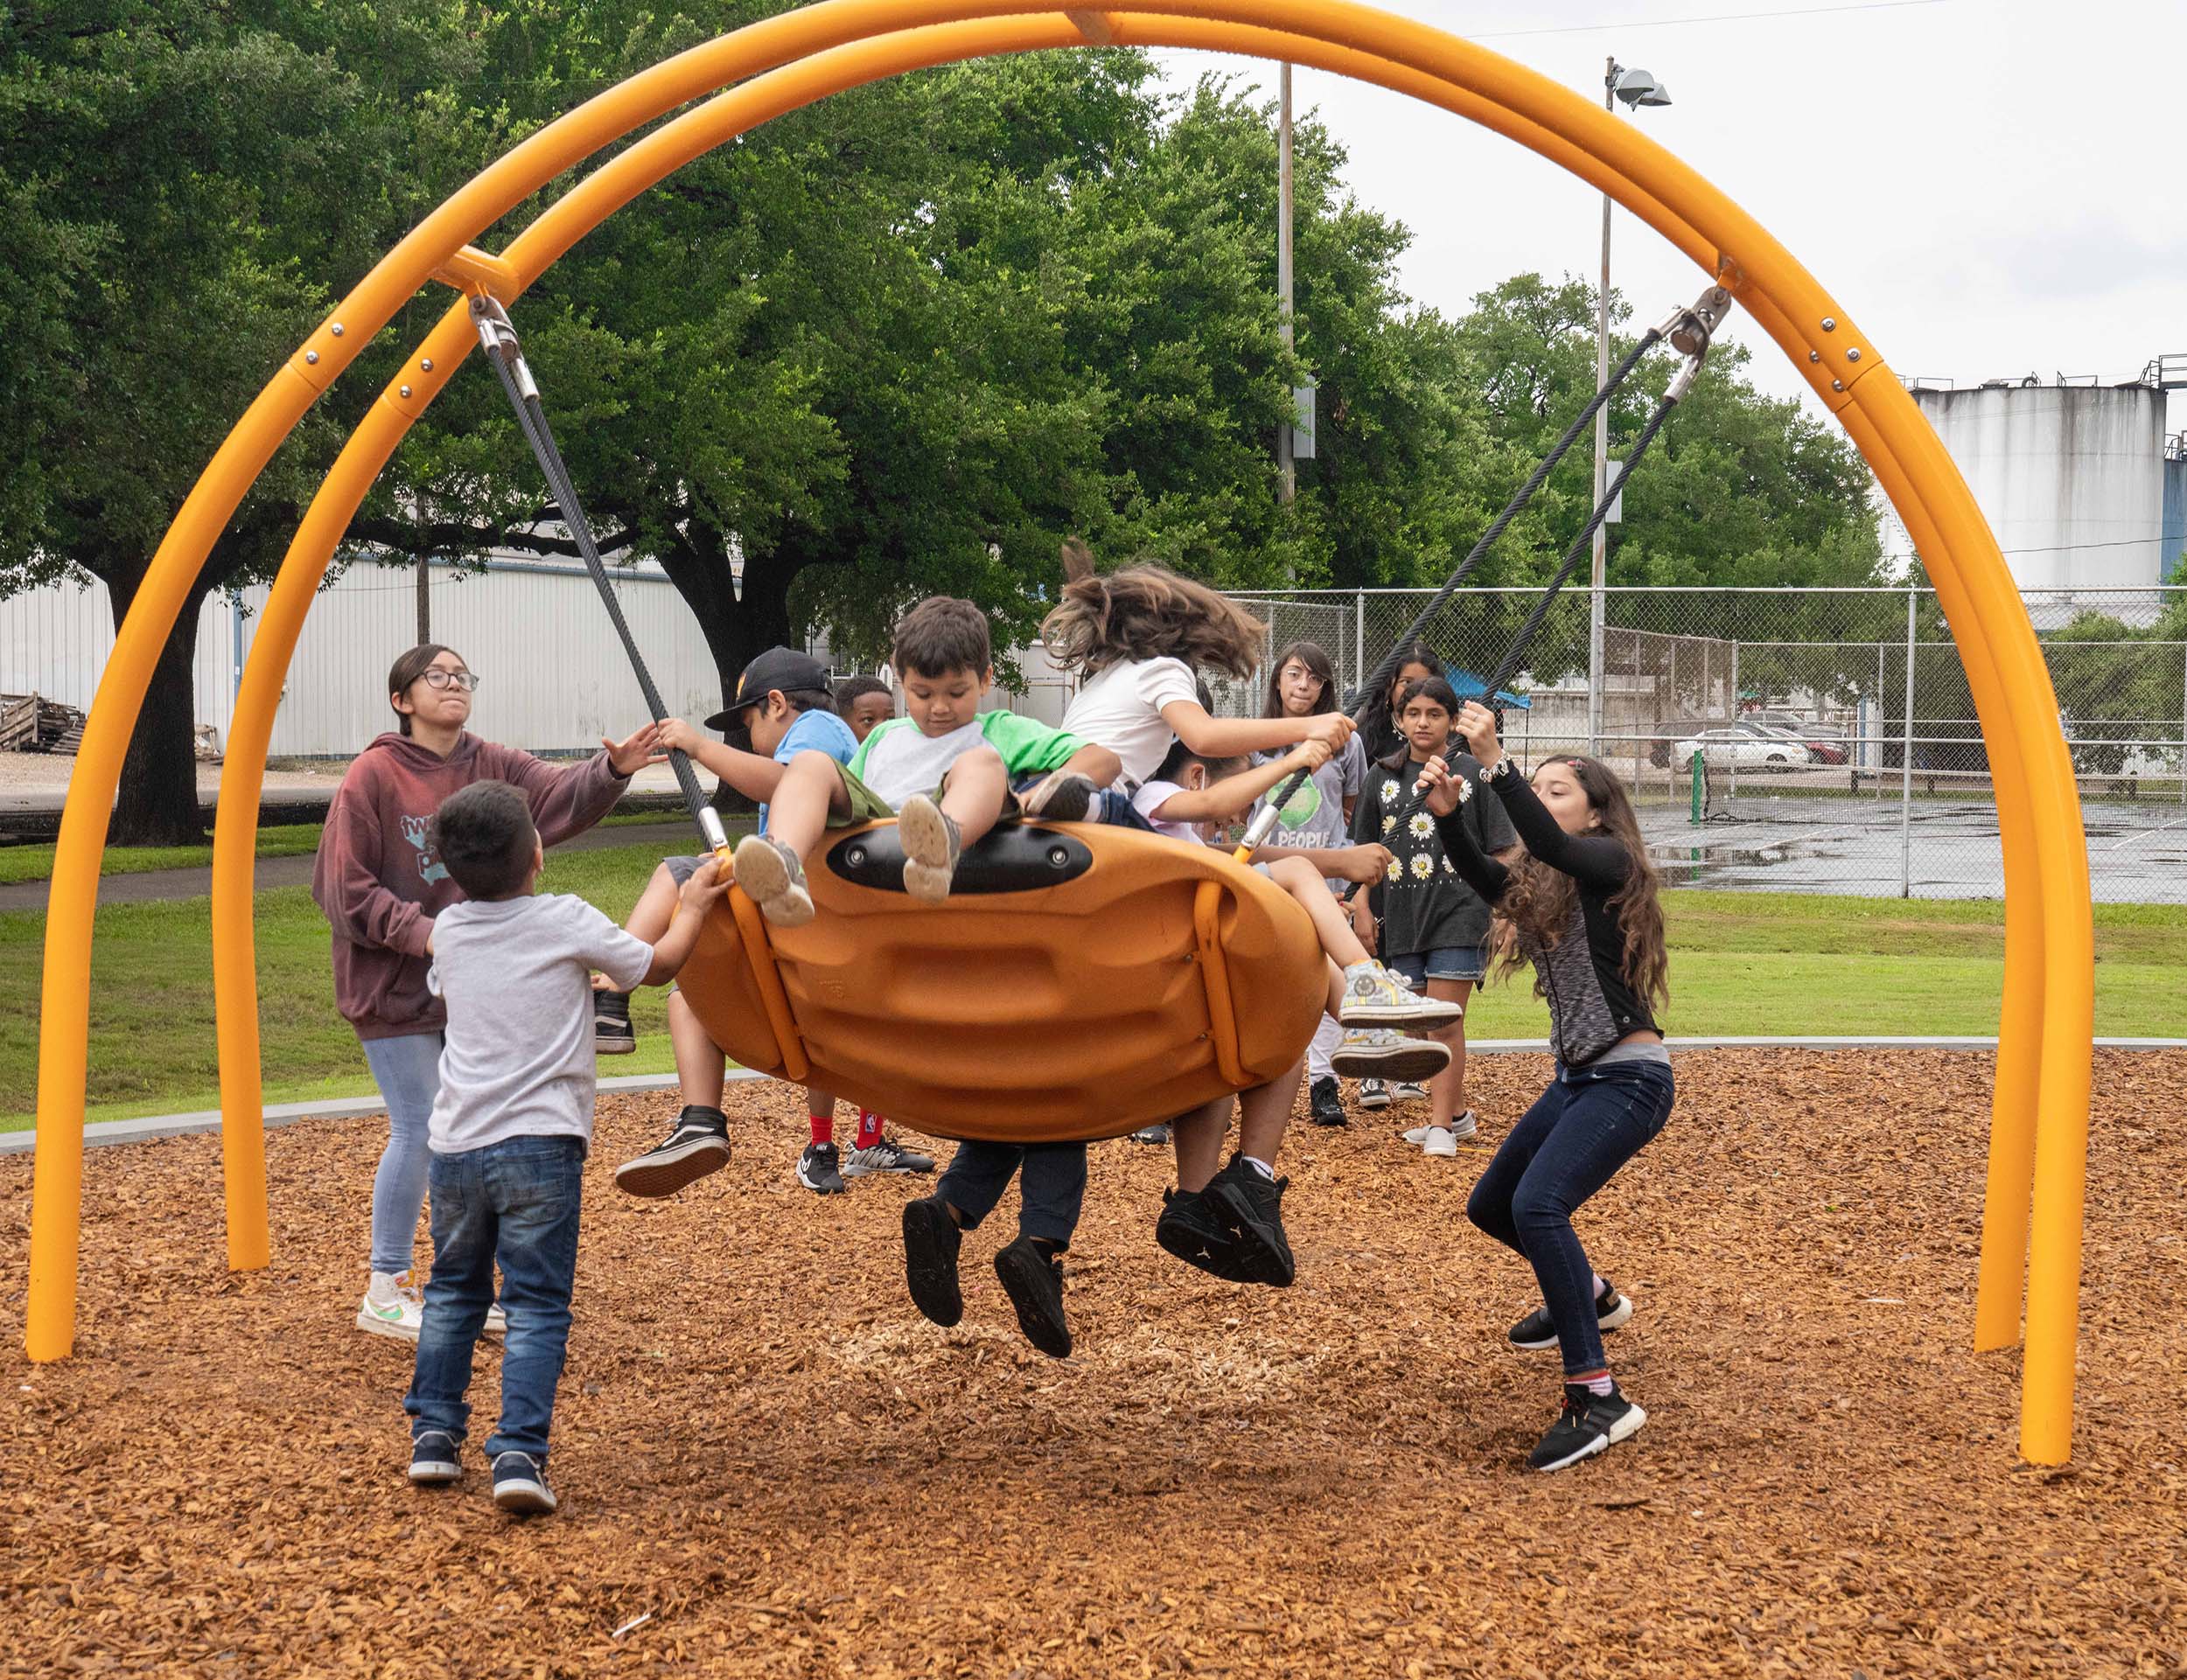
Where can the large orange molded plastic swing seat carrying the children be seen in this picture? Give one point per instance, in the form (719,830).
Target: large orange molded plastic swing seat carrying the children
(1079,983)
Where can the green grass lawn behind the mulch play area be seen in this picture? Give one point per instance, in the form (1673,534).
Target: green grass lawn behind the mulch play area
(1742,964)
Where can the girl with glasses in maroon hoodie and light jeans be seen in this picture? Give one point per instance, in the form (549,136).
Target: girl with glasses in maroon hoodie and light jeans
(379,885)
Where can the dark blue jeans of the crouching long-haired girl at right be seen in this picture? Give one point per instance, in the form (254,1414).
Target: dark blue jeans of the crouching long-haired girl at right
(1569,1145)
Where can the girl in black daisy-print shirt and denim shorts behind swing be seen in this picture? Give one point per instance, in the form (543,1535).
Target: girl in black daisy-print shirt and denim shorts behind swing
(1436,929)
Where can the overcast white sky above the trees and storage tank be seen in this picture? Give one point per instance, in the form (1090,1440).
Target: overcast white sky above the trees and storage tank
(1987,187)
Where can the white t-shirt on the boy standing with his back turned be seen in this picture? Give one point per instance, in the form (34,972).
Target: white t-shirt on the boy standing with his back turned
(517,977)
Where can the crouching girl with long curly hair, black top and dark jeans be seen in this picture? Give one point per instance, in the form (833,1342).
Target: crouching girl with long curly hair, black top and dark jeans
(1582,909)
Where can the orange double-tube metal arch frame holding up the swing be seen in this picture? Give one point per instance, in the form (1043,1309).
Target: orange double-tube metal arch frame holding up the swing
(2042,1097)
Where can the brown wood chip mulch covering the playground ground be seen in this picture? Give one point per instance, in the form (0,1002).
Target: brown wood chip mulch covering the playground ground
(771,1467)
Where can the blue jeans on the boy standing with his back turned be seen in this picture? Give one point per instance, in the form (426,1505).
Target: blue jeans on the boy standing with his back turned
(513,1202)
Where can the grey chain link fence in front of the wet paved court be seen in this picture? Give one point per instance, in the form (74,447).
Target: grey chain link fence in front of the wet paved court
(1814,740)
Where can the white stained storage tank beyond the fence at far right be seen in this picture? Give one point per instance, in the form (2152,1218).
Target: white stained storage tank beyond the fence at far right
(2072,478)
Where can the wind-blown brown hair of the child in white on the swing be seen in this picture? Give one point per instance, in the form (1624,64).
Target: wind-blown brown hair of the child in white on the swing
(1147,611)
